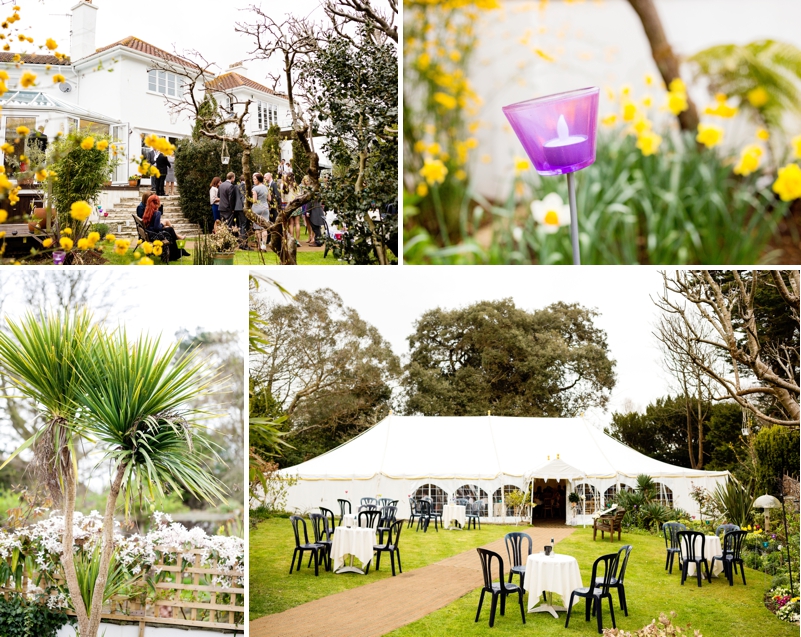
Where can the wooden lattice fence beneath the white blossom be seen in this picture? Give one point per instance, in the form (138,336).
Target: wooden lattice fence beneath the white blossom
(178,592)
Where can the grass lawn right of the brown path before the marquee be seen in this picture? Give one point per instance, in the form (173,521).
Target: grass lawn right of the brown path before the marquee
(716,609)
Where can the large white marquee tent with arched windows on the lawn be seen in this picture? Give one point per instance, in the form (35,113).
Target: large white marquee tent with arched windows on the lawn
(482,457)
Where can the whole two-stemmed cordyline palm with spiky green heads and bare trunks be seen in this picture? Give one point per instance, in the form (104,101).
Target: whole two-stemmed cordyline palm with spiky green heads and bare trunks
(131,400)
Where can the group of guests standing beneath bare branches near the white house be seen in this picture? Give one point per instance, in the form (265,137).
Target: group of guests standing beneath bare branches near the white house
(269,197)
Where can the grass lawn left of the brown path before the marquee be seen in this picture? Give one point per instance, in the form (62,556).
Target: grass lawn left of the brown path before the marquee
(272,589)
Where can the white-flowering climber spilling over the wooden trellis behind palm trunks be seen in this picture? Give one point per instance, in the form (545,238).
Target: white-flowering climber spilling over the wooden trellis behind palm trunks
(35,552)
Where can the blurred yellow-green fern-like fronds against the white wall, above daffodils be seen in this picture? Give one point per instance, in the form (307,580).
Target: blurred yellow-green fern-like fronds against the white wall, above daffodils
(736,70)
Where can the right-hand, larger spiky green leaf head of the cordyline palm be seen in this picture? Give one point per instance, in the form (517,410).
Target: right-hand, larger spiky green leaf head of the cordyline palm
(136,405)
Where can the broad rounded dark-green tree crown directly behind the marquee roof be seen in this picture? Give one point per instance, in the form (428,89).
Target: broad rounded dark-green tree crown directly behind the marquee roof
(494,356)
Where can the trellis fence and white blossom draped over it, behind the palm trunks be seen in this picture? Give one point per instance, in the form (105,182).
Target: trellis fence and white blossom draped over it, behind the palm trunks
(171,575)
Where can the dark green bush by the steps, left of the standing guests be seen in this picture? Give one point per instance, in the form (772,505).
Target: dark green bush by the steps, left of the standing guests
(197,162)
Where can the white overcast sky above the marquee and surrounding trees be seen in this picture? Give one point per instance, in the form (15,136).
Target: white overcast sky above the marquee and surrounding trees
(393,298)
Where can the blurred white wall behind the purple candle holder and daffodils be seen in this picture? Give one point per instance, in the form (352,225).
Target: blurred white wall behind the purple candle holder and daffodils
(600,44)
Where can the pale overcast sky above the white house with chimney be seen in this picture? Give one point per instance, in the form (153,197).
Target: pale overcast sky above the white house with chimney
(203,25)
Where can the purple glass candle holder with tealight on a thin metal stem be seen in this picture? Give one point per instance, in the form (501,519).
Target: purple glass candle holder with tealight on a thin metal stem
(558,133)
